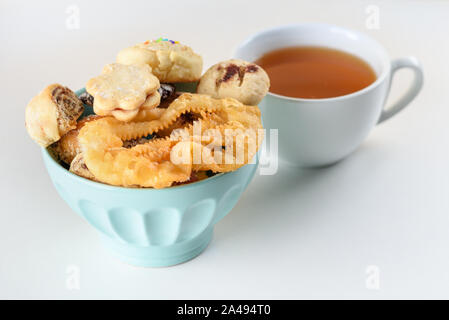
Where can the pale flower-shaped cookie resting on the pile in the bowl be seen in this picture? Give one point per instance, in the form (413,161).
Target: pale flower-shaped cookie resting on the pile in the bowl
(121,90)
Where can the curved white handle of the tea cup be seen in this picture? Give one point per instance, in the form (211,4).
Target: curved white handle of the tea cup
(410,94)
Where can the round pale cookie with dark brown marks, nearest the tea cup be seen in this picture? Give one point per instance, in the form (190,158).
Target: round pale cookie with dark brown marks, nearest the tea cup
(238,79)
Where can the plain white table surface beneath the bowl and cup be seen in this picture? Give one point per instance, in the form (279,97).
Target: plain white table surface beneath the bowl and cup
(297,234)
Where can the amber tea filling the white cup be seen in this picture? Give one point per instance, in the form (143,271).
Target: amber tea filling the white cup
(315,72)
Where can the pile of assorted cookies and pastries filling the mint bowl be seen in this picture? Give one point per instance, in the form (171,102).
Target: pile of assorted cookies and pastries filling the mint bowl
(139,122)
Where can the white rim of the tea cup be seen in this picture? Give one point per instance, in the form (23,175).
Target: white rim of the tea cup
(373,85)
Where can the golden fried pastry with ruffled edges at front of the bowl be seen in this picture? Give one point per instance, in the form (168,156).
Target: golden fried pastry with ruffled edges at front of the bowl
(151,164)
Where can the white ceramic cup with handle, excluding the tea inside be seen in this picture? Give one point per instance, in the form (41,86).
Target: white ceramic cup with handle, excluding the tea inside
(320,132)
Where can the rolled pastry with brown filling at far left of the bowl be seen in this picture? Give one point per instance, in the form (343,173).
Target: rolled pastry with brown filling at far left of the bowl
(52,113)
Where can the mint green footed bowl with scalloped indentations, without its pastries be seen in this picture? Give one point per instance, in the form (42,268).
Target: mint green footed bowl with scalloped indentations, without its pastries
(152,227)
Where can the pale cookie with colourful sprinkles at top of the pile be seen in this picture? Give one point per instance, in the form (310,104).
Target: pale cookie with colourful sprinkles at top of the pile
(169,60)
